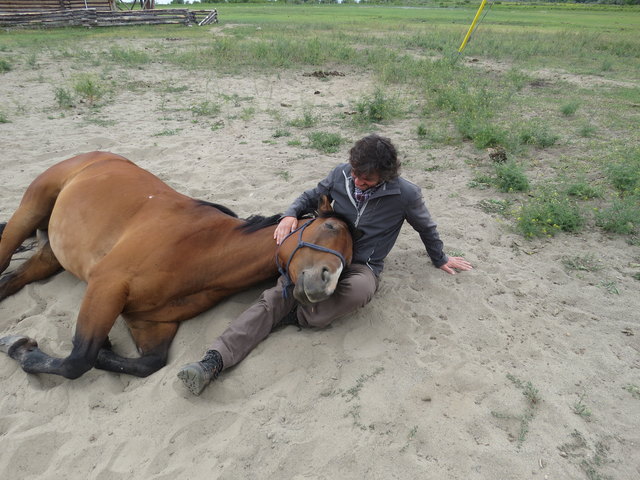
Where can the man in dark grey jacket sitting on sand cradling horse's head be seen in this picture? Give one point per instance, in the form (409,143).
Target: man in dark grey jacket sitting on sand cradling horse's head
(368,191)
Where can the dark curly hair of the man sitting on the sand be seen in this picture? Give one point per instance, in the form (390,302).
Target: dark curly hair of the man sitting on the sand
(374,154)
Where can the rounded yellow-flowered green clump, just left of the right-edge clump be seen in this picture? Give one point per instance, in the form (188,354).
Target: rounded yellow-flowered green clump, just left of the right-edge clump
(547,214)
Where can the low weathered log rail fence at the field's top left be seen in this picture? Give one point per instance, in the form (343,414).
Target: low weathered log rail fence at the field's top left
(92,17)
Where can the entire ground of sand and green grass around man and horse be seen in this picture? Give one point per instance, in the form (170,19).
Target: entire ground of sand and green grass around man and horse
(527,149)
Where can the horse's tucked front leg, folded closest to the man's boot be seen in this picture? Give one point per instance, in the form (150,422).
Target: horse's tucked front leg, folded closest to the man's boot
(153,340)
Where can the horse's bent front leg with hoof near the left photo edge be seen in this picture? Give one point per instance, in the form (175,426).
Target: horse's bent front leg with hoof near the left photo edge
(100,308)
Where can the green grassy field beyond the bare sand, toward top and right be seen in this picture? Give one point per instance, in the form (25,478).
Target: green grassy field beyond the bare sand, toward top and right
(577,134)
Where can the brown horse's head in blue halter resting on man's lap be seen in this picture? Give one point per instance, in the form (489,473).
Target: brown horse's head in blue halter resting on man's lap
(314,255)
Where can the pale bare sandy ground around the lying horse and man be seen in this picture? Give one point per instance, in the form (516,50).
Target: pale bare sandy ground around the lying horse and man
(425,382)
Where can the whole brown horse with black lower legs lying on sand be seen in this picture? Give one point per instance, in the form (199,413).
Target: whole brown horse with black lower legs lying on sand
(151,254)
